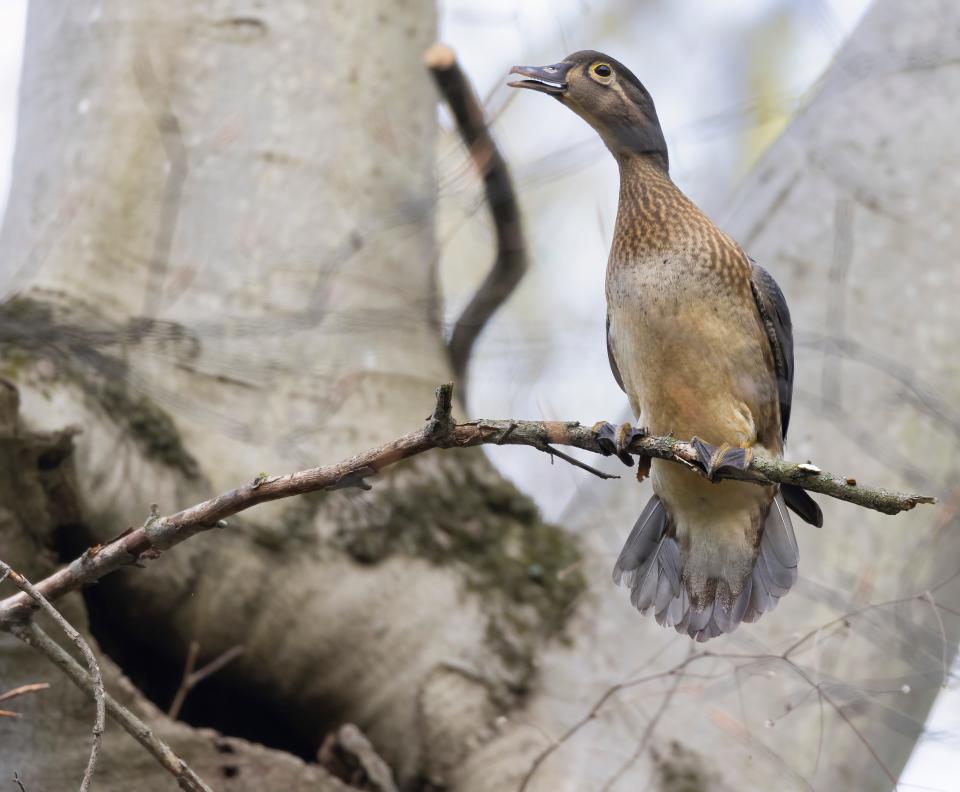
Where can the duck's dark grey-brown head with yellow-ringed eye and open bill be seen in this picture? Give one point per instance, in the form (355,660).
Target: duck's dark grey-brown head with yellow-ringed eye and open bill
(608,96)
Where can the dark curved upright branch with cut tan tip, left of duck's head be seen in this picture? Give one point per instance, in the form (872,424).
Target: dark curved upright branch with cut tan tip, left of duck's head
(511,261)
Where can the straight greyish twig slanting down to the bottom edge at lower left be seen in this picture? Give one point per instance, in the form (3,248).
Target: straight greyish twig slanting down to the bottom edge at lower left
(33,636)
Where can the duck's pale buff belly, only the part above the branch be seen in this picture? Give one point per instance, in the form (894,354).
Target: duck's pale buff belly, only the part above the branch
(692,358)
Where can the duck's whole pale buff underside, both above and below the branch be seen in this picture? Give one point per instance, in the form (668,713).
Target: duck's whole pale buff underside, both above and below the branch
(693,363)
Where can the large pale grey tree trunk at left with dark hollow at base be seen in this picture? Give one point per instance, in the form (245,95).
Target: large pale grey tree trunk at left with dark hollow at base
(221,239)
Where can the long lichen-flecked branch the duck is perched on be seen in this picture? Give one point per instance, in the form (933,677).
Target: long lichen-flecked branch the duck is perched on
(160,533)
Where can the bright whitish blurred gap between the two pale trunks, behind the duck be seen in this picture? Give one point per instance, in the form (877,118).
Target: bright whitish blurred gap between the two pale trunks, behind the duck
(726,77)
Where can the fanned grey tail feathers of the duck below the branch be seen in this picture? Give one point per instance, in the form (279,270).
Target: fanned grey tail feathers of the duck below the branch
(651,566)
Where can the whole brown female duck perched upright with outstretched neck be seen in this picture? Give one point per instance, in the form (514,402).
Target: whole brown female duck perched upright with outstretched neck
(699,338)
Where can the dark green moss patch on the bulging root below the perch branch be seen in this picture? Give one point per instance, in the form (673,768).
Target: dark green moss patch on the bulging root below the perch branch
(460,511)
